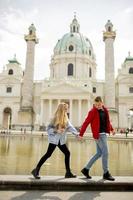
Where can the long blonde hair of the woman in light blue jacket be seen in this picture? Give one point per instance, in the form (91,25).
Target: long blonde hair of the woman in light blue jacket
(60,117)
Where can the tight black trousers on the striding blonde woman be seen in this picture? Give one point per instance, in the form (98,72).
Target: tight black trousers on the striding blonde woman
(49,152)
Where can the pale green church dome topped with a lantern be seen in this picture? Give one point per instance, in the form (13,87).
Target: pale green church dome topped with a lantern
(74,42)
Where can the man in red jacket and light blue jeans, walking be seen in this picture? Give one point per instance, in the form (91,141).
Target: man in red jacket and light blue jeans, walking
(98,118)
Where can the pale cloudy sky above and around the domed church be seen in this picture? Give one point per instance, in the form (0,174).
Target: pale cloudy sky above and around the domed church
(52,19)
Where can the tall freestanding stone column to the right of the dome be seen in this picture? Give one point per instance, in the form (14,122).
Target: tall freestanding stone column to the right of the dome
(109,37)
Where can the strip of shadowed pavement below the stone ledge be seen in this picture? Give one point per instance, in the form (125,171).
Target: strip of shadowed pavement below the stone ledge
(40,195)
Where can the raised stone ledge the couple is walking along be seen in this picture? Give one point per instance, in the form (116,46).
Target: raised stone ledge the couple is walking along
(59,183)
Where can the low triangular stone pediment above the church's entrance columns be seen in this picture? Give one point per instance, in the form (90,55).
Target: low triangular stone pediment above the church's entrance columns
(65,88)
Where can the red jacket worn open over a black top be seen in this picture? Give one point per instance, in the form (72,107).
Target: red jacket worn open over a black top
(94,120)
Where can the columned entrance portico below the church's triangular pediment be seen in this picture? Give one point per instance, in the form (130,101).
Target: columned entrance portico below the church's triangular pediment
(78,109)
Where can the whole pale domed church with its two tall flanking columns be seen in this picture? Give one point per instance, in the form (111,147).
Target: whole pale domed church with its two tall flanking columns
(25,103)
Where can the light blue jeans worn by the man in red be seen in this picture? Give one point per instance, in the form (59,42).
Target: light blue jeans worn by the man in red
(102,150)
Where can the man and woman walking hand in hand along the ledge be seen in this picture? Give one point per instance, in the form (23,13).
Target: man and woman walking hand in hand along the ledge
(98,118)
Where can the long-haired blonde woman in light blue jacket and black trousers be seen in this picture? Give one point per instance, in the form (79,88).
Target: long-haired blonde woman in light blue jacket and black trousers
(57,134)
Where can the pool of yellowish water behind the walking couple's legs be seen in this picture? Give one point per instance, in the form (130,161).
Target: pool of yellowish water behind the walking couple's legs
(20,154)
